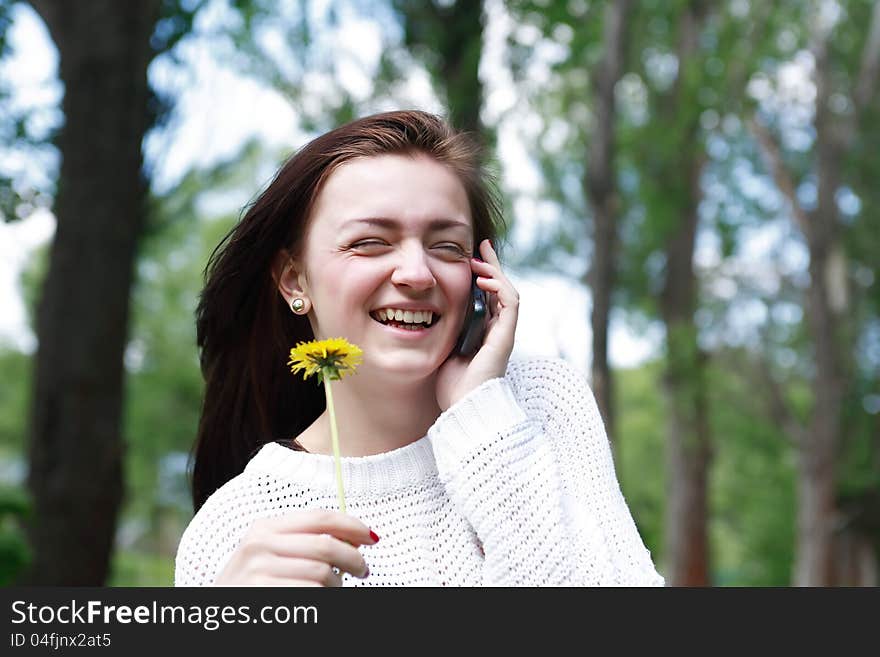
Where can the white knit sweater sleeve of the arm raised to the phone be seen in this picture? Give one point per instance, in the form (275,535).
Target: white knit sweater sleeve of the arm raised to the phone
(535,478)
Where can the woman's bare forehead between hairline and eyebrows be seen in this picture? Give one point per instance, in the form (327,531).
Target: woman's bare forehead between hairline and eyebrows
(412,190)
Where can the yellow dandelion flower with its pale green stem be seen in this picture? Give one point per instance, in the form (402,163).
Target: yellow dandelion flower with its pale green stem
(330,359)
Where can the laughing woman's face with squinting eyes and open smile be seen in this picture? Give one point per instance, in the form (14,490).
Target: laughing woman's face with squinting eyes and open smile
(390,232)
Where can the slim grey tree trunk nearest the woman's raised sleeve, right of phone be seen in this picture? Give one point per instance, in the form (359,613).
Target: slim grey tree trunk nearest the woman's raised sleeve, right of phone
(602,193)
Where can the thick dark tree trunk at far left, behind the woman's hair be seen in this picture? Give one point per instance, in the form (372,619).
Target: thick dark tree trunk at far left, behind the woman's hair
(76,449)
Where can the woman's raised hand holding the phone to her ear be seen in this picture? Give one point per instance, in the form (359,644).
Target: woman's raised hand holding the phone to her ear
(459,374)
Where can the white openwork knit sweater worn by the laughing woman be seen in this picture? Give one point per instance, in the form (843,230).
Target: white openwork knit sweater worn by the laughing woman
(513,485)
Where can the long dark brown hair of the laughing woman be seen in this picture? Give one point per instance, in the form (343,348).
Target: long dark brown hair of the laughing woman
(244,327)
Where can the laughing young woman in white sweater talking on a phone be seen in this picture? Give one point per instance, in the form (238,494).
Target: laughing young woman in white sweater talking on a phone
(458,470)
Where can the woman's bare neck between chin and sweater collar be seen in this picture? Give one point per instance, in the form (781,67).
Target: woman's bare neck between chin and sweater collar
(374,416)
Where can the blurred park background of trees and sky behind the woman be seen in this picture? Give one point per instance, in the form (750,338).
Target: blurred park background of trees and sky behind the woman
(692,207)
